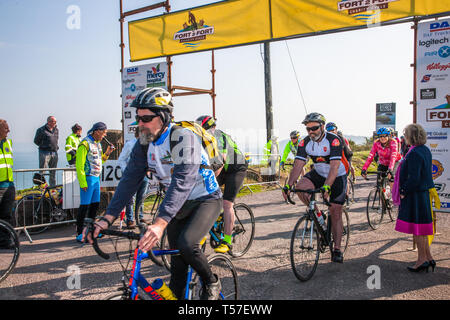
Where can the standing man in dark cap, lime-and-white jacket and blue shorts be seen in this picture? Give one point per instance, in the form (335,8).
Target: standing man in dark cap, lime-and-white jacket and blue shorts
(89,160)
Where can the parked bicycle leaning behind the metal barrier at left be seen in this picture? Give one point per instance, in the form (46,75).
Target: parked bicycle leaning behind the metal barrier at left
(44,208)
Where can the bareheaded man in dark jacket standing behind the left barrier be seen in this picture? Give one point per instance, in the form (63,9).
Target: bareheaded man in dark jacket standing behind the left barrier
(46,139)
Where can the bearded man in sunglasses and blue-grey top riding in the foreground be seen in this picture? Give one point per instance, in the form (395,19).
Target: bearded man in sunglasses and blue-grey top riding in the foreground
(193,200)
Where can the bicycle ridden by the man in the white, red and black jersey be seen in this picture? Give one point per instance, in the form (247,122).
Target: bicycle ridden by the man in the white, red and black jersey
(310,238)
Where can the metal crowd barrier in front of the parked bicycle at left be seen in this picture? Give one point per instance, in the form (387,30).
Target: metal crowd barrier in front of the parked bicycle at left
(39,206)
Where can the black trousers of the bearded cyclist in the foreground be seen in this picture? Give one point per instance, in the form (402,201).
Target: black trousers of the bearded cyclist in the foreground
(184,233)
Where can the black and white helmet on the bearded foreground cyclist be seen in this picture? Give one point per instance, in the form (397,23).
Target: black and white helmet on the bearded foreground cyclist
(154,99)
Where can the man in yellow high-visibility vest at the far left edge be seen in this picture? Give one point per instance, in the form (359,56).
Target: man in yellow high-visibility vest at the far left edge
(7,189)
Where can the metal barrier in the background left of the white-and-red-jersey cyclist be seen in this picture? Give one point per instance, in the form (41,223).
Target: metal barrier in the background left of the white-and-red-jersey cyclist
(262,170)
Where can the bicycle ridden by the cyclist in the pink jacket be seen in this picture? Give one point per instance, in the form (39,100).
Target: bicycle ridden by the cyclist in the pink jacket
(379,201)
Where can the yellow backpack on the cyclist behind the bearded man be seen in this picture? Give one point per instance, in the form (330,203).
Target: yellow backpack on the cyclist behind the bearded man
(209,142)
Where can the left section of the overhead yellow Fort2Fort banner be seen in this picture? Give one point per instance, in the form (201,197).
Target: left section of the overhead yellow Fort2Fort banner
(218,25)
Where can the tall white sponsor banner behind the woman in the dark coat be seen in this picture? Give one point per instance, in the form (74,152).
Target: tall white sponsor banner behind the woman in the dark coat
(433,98)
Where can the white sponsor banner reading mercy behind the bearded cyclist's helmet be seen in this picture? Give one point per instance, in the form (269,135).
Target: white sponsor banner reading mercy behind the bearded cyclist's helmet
(134,79)
